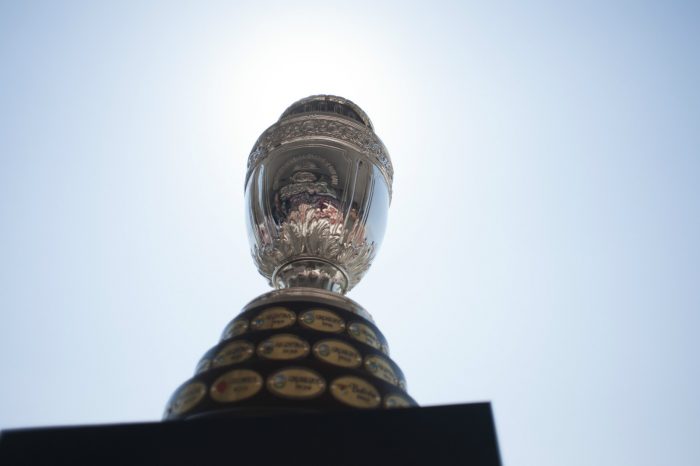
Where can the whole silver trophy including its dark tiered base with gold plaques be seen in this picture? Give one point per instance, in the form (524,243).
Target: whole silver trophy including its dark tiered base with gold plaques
(317,189)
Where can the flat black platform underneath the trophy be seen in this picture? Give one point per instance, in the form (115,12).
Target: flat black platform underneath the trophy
(442,435)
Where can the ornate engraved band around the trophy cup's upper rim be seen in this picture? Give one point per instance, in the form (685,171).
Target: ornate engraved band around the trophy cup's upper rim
(323,126)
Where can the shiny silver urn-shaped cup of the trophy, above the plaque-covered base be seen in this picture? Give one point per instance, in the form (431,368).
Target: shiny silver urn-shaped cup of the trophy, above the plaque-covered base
(317,192)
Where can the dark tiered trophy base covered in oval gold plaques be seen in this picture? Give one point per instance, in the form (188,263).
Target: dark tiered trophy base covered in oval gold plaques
(294,350)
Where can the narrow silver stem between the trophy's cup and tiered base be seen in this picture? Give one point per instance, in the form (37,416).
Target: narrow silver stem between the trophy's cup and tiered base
(311,273)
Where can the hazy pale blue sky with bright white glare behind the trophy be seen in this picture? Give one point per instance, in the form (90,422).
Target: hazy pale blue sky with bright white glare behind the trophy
(542,247)
